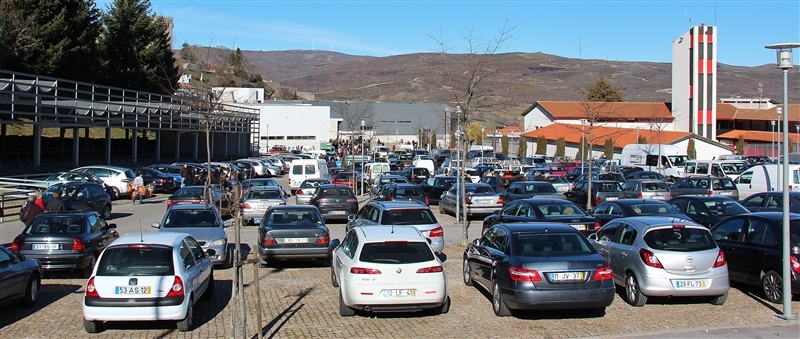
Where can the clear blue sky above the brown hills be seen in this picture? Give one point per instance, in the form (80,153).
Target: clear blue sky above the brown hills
(594,29)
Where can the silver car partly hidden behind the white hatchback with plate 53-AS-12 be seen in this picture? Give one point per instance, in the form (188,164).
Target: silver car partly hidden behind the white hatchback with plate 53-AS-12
(204,223)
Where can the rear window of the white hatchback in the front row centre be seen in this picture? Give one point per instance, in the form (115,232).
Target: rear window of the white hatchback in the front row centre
(400,252)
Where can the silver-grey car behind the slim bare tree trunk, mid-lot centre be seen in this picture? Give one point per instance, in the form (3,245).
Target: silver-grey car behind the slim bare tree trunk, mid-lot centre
(480,200)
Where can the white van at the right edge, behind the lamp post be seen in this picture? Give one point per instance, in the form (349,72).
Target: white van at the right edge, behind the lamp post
(764,178)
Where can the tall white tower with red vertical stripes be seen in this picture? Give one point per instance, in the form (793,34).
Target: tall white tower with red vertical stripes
(694,81)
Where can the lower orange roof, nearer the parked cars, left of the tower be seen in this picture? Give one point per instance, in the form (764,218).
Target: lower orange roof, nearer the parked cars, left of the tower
(621,136)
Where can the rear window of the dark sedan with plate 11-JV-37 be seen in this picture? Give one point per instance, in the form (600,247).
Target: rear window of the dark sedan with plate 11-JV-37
(549,244)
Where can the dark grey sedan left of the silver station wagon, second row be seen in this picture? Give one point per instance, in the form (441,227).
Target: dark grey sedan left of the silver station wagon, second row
(292,232)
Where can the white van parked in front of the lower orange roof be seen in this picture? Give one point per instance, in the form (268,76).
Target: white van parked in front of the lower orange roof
(673,158)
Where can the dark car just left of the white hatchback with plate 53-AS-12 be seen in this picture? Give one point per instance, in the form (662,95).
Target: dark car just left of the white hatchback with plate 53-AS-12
(65,241)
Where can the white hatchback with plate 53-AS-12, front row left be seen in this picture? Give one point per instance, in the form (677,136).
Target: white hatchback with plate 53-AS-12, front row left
(148,277)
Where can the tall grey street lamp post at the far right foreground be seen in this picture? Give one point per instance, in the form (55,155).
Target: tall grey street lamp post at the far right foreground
(784,53)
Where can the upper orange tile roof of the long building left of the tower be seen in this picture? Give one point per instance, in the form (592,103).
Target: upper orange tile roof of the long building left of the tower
(611,111)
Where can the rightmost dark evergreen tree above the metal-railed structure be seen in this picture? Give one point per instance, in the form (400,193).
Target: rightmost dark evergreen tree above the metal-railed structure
(135,49)
